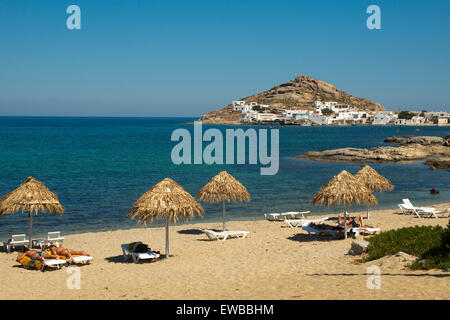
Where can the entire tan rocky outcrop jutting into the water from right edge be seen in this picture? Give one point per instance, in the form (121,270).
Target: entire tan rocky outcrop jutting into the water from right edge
(435,150)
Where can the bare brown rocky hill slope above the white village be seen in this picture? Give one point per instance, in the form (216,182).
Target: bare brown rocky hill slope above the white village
(296,94)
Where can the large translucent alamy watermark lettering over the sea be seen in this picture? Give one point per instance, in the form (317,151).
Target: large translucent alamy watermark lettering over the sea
(235,151)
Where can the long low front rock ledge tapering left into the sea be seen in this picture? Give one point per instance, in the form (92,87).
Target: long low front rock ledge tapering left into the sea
(378,154)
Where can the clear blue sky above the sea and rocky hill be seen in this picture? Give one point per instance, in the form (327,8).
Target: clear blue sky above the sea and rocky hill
(185,58)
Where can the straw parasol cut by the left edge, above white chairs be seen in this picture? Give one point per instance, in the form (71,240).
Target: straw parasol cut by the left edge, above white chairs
(32,196)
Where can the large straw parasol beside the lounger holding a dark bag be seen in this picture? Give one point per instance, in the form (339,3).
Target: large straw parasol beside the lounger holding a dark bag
(166,199)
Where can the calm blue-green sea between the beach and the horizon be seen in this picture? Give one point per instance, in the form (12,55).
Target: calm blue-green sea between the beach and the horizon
(100,166)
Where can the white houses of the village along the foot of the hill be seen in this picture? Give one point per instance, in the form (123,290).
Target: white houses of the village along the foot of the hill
(333,113)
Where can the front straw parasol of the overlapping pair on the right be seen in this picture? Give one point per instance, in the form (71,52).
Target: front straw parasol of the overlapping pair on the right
(346,189)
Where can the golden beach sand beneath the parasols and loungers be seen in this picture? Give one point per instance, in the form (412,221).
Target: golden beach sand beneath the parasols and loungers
(274,262)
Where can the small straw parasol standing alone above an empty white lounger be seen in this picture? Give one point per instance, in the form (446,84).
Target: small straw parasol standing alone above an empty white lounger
(223,187)
